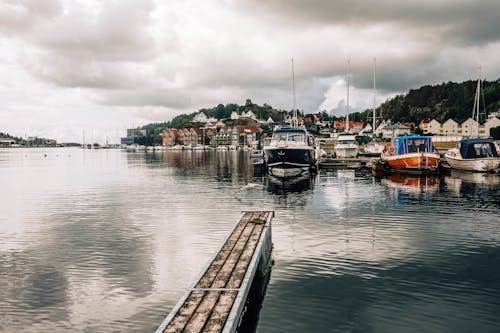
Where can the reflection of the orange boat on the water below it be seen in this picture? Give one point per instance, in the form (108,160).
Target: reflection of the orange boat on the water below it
(411,186)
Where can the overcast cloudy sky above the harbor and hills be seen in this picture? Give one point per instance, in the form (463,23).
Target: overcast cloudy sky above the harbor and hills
(69,66)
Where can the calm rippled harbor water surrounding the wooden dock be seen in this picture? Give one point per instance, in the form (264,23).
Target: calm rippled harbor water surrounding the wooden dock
(108,240)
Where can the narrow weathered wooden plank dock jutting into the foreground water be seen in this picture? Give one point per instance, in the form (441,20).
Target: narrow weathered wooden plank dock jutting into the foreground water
(216,301)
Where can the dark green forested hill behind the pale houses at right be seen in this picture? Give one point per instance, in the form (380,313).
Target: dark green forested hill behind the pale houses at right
(442,102)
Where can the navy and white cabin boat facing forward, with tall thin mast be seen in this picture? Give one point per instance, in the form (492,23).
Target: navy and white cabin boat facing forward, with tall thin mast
(292,149)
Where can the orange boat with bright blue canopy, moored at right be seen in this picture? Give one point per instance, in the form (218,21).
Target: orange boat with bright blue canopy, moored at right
(412,154)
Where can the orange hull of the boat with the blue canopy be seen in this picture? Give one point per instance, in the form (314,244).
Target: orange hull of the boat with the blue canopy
(413,162)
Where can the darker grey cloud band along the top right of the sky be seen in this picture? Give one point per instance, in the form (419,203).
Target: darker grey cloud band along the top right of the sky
(468,22)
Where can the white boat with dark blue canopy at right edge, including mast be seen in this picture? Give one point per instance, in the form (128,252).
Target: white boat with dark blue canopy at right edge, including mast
(476,154)
